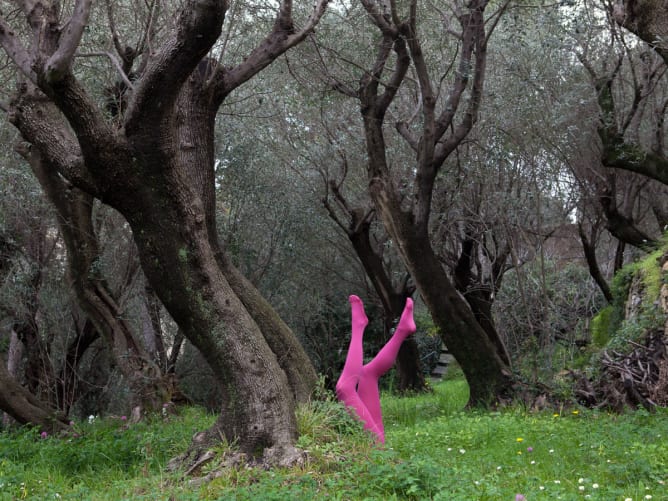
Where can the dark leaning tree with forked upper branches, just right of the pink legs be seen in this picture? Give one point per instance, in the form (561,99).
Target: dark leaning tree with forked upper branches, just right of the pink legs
(406,219)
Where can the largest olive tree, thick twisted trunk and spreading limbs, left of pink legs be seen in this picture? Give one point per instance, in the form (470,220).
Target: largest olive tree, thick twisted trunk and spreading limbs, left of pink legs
(151,157)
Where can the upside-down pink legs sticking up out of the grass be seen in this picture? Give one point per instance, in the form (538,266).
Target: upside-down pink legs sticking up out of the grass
(357,387)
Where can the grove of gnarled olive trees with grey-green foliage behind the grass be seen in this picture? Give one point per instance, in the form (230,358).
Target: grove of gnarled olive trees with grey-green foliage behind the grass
(208,180)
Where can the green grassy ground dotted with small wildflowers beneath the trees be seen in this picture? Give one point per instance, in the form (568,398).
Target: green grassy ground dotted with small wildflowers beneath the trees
(434,450)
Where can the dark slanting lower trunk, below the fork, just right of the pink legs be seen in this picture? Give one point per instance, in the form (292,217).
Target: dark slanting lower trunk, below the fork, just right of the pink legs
(488,376)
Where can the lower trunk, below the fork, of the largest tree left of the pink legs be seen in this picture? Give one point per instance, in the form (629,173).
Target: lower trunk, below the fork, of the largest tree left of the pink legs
(258,407)
